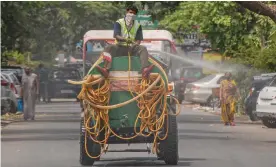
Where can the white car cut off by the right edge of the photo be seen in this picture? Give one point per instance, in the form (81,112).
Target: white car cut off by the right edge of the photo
(266,105)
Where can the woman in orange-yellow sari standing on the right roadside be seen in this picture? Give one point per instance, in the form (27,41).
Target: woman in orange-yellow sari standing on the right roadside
(228,99)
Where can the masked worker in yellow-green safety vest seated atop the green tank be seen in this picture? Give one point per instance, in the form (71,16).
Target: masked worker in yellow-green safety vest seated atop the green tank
(128,34)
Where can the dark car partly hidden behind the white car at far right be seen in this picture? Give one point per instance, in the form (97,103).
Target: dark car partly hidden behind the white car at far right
(258,84)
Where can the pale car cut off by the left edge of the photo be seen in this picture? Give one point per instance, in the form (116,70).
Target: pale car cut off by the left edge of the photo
(8,97)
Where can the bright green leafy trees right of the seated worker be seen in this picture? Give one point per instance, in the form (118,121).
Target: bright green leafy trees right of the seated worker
(237,32)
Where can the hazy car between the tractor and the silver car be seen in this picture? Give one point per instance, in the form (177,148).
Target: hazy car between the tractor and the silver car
(186,75)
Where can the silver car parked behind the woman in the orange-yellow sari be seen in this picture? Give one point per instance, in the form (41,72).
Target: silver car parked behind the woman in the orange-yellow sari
(201,90)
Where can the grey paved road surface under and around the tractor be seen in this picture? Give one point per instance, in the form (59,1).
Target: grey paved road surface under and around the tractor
(53,141)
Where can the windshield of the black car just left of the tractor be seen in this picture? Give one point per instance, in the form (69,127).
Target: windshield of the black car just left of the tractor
(66,74)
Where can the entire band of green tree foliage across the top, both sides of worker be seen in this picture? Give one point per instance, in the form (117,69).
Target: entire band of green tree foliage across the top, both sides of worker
(43,28)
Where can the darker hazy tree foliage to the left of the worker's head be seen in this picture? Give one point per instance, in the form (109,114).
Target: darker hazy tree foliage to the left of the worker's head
(44,28)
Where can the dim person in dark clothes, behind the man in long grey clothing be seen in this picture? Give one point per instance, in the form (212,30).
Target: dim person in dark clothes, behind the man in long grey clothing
(43,76)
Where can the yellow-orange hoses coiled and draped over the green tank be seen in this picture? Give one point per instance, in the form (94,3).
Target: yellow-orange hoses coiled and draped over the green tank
(150,94)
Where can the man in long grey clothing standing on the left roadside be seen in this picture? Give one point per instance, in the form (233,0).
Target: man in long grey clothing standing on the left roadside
(29,91)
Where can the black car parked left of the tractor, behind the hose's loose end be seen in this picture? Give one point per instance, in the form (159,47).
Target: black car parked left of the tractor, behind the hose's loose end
(59,86)
